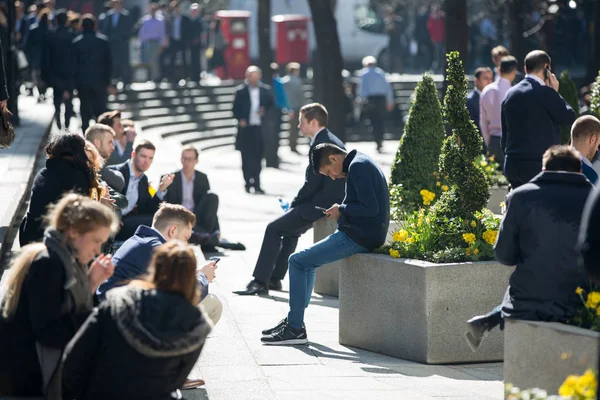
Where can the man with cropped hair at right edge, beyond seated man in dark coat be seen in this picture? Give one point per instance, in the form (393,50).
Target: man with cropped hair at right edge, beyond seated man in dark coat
(585,138)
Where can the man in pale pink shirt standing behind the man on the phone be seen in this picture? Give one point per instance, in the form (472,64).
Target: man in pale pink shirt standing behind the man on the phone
(490,104)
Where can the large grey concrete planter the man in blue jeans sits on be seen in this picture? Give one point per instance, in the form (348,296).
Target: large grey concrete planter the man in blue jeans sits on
(417,310)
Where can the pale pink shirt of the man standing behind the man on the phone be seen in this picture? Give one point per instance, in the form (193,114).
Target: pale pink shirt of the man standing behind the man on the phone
(490,108)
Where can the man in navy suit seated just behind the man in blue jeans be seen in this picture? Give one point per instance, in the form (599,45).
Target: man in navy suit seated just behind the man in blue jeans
(281,235)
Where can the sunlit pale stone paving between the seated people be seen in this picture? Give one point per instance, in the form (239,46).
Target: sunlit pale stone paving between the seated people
(234,363)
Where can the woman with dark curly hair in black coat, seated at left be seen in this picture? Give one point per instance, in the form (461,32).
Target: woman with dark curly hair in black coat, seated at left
(67,169)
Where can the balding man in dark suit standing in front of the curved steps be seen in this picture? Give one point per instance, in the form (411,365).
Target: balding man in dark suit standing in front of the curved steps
(252,102)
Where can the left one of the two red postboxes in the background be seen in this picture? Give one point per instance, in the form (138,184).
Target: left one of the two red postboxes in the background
(234,25)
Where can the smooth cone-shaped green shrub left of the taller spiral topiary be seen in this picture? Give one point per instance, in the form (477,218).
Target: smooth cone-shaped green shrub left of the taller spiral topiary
(419,150)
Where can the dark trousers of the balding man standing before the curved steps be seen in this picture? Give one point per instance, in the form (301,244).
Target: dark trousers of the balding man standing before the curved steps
(251,145)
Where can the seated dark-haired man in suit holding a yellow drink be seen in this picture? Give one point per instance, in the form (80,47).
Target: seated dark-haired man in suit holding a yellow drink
(142,203)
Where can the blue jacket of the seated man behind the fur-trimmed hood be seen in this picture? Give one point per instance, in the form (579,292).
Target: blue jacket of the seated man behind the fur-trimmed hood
(133,258)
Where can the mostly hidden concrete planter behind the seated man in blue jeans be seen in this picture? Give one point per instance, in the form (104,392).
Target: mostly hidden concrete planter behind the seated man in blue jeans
(328,276)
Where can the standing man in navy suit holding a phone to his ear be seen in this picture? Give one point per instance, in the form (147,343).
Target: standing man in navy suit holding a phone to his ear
(532,113)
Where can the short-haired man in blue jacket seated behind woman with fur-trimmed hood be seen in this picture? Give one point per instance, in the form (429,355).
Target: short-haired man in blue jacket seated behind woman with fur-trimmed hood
(171,222)
